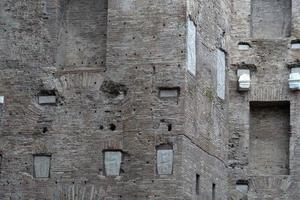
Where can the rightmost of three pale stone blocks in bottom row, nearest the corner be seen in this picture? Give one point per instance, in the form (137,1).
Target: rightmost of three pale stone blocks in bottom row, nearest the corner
(164,161)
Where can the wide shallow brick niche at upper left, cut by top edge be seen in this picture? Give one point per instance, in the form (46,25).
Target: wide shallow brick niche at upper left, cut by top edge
(83,33)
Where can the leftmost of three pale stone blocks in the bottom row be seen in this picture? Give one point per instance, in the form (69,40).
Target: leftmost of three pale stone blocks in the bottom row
(41,164)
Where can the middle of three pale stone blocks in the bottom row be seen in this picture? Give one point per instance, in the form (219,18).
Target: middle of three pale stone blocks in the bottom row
(112,162)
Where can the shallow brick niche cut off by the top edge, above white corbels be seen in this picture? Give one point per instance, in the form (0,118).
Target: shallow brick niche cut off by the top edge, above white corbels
(271,18)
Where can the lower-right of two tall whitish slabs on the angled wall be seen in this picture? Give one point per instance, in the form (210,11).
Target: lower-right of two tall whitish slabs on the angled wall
(221,73)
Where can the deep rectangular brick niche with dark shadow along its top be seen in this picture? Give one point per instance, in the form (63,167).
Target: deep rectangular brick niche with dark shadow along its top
(269,138)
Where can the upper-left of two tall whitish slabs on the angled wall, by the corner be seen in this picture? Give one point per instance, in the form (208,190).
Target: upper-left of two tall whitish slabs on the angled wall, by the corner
(191,47)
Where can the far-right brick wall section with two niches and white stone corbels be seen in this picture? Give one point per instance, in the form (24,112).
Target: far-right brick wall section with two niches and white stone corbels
(269,59)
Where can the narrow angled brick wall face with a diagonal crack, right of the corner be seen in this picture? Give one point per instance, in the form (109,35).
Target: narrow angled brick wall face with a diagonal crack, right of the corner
(206,139)
